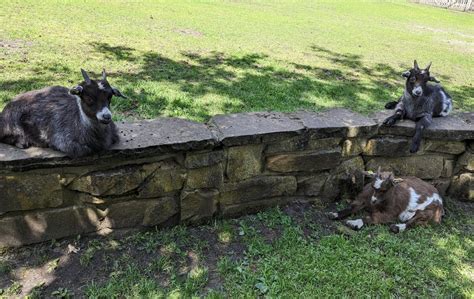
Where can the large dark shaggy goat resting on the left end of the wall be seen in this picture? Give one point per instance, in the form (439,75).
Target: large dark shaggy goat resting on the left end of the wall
(75,121)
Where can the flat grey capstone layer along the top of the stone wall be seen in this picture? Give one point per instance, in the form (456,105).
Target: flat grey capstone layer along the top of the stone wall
(165,135)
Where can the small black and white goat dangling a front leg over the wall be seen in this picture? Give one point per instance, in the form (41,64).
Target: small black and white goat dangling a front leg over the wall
(420,102)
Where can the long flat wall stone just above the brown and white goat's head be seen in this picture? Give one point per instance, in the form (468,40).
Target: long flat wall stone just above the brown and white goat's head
(424,167)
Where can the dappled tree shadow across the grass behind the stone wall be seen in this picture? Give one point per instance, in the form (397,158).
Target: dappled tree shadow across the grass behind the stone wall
(199,85)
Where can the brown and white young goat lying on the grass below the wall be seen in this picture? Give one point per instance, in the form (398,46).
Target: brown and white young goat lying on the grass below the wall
(409,201)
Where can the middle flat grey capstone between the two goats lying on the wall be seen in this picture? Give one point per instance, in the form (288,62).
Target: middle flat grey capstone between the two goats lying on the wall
(244,128)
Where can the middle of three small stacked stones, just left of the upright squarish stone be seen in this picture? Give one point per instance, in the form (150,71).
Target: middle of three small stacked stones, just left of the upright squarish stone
(205,177)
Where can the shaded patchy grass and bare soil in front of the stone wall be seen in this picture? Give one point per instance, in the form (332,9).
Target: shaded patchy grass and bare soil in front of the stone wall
(290,252)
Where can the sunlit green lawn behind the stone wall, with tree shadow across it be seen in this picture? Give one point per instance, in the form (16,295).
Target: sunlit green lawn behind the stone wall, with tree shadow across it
(195,59)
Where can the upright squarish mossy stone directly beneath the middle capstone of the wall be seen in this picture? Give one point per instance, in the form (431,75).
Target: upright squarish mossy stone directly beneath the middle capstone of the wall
(244,162)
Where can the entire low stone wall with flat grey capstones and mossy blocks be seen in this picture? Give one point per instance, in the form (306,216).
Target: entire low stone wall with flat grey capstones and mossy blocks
(170,170)
